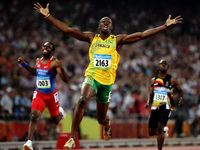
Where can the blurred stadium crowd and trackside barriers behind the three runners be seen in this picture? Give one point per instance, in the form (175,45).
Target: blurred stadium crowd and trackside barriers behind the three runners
(22,31)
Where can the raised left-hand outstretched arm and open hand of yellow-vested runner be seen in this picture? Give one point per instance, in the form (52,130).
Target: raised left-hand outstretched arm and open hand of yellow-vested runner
(83,36)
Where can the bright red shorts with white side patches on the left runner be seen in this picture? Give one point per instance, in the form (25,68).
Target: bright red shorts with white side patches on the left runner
(41,100)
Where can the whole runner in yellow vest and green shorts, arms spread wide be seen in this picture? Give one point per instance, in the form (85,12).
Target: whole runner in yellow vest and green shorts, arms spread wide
(101,72)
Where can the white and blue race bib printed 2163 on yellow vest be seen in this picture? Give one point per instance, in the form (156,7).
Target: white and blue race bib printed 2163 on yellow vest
(102,61)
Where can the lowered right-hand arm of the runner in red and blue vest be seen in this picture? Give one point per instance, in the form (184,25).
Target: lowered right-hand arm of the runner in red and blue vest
(61,71)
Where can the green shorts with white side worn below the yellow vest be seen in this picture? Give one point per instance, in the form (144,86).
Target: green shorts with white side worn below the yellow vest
(103,92)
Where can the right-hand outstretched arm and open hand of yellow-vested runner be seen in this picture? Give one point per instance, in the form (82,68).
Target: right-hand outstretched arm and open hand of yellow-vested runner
(125,39)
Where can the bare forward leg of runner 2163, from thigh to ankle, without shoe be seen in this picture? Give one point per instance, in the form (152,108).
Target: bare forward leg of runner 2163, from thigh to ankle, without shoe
(86,93)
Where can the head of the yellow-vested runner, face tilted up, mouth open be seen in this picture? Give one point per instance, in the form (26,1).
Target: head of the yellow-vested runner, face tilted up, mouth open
(105,25)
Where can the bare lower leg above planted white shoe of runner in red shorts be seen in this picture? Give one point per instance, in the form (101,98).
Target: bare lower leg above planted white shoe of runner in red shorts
(33,123)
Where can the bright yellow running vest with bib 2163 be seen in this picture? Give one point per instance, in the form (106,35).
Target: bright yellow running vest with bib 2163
(104,60)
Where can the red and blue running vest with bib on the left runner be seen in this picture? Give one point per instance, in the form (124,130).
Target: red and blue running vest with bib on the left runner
(45,81)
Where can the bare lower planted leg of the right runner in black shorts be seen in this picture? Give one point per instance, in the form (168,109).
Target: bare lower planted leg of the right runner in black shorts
(160,136)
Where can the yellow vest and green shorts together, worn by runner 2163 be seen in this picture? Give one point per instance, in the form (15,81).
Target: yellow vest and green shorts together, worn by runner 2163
(101,71)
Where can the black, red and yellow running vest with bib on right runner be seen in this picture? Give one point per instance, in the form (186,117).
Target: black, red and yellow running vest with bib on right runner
(162,92)
